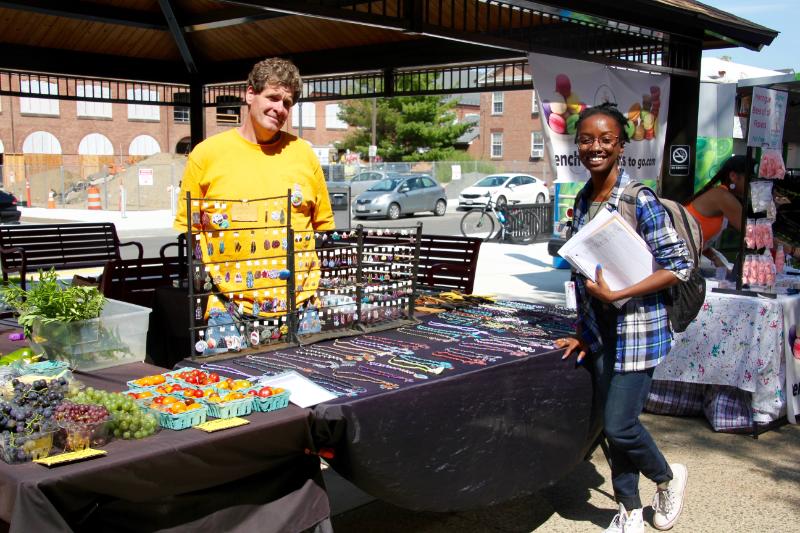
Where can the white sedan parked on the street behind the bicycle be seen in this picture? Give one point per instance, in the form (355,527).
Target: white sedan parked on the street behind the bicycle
(502,188)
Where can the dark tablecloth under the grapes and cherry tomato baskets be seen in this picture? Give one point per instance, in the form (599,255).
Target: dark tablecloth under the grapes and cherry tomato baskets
(256,477)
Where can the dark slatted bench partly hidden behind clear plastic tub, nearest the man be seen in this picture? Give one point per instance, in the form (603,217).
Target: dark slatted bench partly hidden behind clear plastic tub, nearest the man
(136,280)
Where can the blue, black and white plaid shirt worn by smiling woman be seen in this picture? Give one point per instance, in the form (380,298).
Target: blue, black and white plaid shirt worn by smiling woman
(644,336)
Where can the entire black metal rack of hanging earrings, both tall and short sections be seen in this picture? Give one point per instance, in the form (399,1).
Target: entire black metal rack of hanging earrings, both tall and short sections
(358,286)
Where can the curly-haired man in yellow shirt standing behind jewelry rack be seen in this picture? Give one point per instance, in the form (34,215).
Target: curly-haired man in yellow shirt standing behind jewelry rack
(229,174)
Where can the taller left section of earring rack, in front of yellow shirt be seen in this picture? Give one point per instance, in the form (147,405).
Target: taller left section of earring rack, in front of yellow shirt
(242,273)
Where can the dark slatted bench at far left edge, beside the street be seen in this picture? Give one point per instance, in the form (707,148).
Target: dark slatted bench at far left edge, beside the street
(27,248)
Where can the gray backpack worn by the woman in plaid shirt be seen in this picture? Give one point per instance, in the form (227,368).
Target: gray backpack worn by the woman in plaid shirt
(684,299)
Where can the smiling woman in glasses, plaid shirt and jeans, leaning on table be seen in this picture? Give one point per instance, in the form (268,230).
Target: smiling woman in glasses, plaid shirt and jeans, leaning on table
(624,345)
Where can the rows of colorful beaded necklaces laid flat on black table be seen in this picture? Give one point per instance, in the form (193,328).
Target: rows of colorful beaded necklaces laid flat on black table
(458,340)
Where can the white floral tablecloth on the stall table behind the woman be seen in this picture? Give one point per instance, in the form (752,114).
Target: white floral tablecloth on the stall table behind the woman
(736,341)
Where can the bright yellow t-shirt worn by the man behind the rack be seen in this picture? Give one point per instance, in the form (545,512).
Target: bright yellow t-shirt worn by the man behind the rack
(242,242)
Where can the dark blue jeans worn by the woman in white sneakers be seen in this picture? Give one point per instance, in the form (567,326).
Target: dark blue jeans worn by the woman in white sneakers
(632,450)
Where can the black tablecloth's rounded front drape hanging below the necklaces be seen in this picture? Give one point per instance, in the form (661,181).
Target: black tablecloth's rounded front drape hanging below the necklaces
(465,441)
